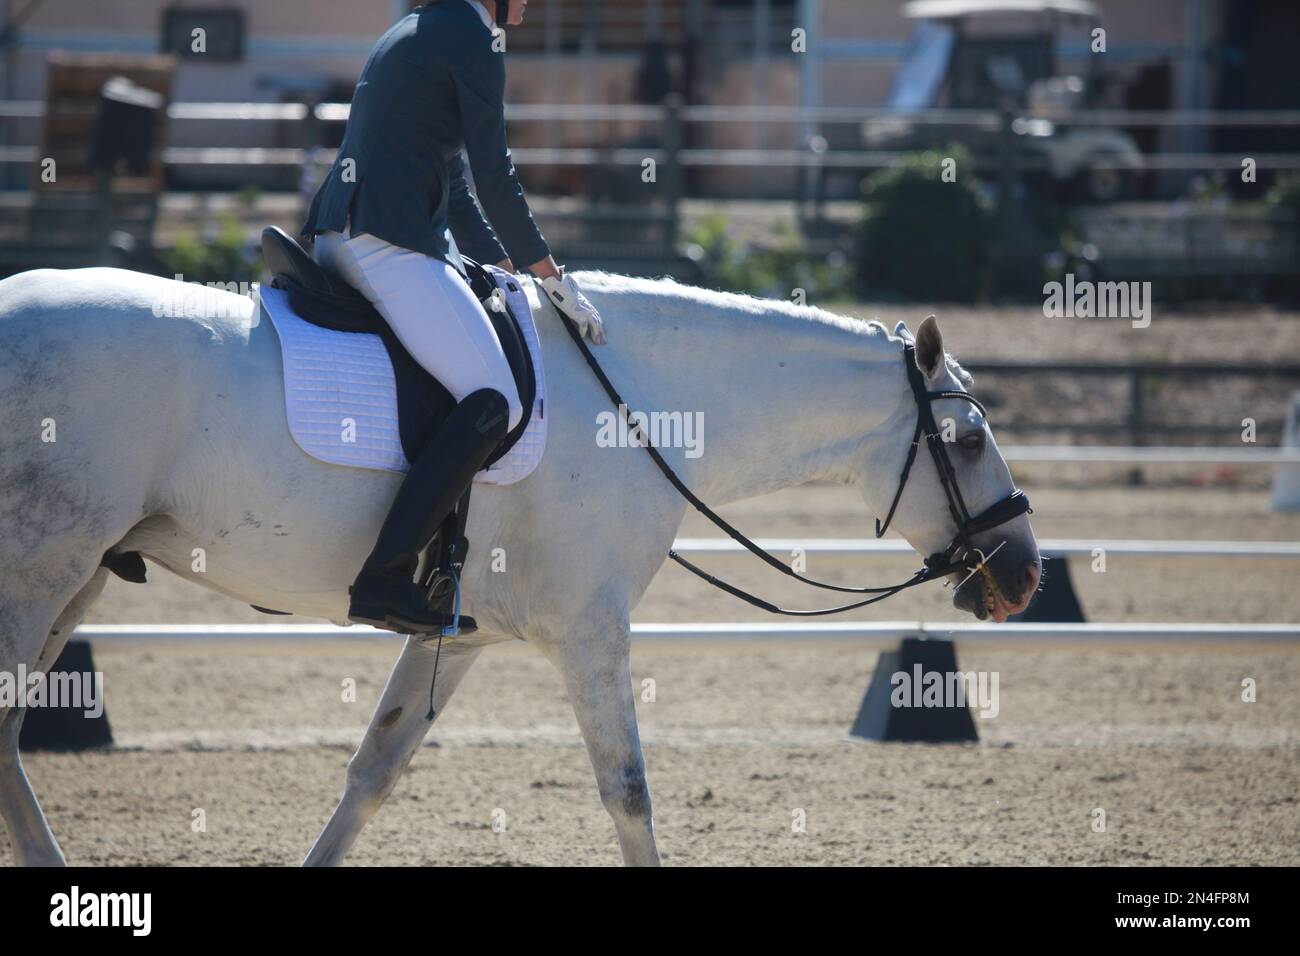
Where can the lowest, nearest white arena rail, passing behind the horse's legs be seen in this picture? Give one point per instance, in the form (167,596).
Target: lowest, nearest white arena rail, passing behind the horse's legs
(870,633)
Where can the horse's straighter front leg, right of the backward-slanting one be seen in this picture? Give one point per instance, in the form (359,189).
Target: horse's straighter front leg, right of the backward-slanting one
(599,676)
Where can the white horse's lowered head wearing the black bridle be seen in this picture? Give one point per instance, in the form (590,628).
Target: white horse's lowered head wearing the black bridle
(1002,557)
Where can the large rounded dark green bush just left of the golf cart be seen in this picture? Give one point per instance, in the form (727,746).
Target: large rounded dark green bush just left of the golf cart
(925,239)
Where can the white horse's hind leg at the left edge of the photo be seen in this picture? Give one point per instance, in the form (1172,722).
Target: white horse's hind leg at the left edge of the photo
(29,833)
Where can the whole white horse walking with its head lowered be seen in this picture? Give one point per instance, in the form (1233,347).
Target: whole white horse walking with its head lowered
(125,431)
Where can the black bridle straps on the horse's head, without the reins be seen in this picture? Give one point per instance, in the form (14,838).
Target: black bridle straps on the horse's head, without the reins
(961,552)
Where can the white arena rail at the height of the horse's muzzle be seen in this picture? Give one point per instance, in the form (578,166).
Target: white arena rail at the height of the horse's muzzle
(1054,548)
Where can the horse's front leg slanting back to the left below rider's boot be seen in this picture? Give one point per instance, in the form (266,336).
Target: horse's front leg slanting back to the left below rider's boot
(400,724)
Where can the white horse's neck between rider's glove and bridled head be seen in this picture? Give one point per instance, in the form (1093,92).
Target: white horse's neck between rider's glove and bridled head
(782,399)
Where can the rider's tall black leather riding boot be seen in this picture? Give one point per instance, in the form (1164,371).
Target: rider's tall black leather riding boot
(385,594)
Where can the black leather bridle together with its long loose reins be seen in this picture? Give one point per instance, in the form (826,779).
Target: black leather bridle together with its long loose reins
(961,553)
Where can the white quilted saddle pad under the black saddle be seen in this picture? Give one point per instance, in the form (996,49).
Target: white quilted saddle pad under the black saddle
(341,393)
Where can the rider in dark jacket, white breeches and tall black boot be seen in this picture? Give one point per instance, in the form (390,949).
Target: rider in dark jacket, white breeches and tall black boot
(434,88)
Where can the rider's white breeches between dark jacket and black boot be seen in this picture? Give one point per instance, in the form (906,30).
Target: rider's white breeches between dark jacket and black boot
(431,310)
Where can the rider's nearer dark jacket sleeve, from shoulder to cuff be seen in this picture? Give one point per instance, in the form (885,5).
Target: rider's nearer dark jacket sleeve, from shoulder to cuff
(480,94)
